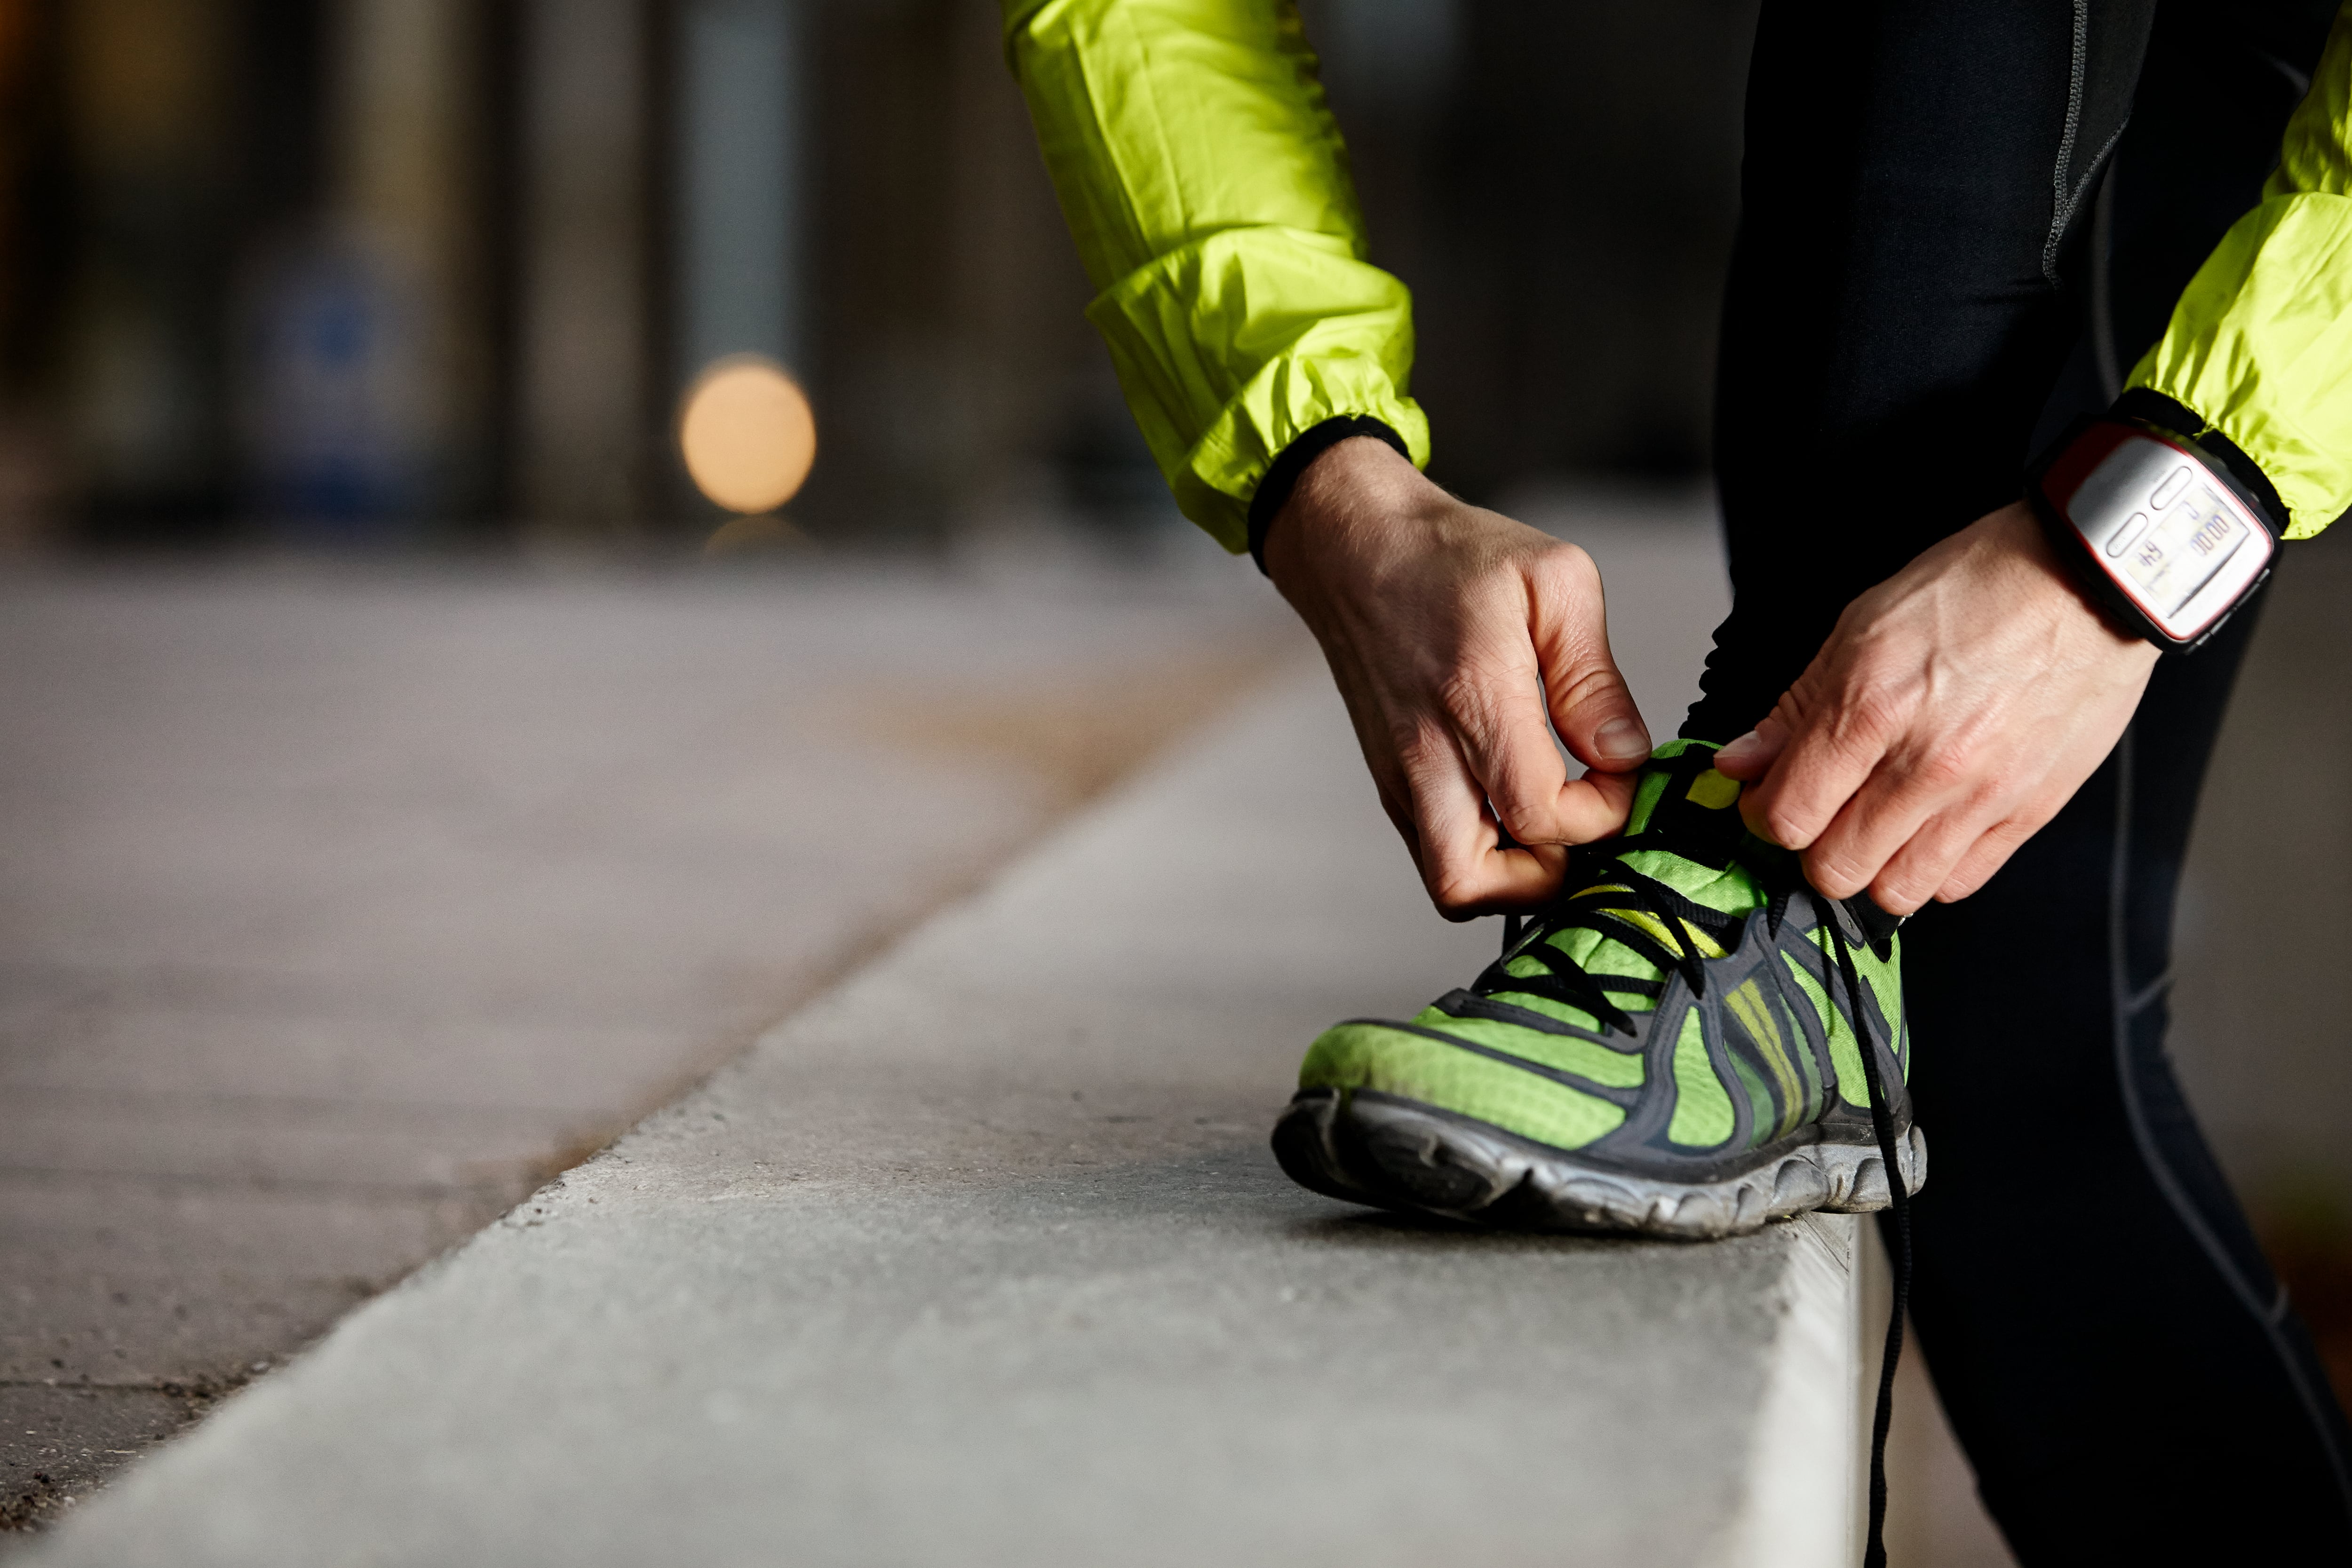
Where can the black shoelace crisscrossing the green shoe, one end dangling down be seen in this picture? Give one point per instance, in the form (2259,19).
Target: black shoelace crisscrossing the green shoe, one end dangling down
(1612,885)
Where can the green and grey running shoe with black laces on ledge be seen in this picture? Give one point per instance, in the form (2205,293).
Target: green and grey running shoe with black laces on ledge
(1673,1047)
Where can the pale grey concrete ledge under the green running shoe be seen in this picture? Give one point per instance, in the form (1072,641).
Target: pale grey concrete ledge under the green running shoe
(982,1259)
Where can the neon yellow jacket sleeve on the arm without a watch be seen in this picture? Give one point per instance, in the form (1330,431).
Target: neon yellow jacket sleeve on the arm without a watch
(1210,199)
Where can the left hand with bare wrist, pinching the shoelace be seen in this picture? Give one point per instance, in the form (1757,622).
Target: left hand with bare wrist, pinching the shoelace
(1455,634)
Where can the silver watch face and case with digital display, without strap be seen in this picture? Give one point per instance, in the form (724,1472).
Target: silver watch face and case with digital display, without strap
(2174,540)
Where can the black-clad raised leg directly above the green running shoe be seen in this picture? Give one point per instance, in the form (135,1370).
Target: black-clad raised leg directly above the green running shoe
(1892,326)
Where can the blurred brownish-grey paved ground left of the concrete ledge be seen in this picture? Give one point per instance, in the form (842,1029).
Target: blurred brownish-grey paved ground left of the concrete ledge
(345,906)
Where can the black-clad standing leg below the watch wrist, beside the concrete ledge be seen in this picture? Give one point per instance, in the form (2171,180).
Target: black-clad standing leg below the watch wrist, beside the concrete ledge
(2106,1336)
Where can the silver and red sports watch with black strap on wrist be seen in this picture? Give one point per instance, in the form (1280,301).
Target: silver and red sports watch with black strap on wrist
(2156,528)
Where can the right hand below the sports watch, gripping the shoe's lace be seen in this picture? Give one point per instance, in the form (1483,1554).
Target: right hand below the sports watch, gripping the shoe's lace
(1956,709)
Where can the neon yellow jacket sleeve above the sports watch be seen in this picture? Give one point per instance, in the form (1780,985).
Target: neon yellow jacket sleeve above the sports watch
(2261,342)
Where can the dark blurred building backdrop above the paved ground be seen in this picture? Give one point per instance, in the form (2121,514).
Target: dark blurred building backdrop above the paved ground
(434,272)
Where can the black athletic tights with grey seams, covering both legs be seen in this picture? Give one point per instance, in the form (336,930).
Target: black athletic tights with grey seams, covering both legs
(1906,309)
